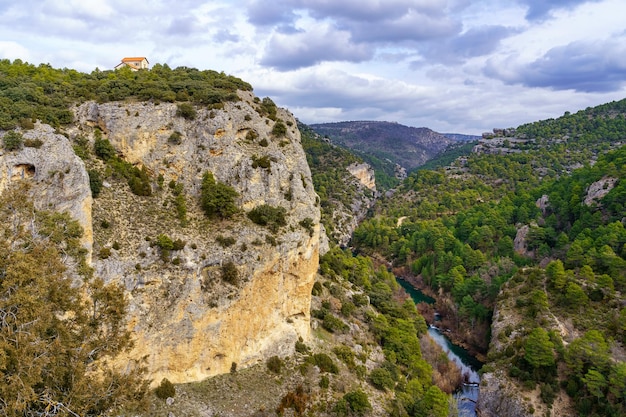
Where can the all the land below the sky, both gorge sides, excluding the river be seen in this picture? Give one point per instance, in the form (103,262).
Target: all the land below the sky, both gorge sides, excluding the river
(209,255)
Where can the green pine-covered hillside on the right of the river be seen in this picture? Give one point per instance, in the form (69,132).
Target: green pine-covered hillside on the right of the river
(524,239)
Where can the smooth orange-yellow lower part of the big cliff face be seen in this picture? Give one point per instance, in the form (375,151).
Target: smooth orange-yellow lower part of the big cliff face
(269,316)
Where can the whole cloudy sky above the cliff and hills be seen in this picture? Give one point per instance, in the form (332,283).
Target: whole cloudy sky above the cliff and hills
(452,65)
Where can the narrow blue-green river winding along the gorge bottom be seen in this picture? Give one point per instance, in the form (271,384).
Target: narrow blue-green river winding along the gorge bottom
(466,395)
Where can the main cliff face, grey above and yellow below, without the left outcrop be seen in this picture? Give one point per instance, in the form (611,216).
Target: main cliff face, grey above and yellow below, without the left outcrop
(187,322)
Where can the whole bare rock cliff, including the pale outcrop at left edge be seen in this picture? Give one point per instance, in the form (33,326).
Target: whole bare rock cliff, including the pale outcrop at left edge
(189,322)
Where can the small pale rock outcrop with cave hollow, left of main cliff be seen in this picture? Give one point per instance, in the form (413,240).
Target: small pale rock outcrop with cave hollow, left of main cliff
(57,178)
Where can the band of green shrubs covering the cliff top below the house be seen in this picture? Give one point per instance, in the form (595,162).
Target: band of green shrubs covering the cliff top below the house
(29,92)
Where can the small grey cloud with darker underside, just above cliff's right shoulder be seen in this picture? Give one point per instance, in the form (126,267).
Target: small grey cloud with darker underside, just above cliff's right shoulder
(288,52)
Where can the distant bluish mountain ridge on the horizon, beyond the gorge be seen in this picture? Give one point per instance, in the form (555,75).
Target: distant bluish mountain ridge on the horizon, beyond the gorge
(406,146)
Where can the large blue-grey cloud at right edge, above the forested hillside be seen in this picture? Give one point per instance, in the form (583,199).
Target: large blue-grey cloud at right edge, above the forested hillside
(581,66)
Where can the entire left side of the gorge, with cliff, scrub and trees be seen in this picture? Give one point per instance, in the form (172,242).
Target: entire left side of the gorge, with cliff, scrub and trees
(160,249)
